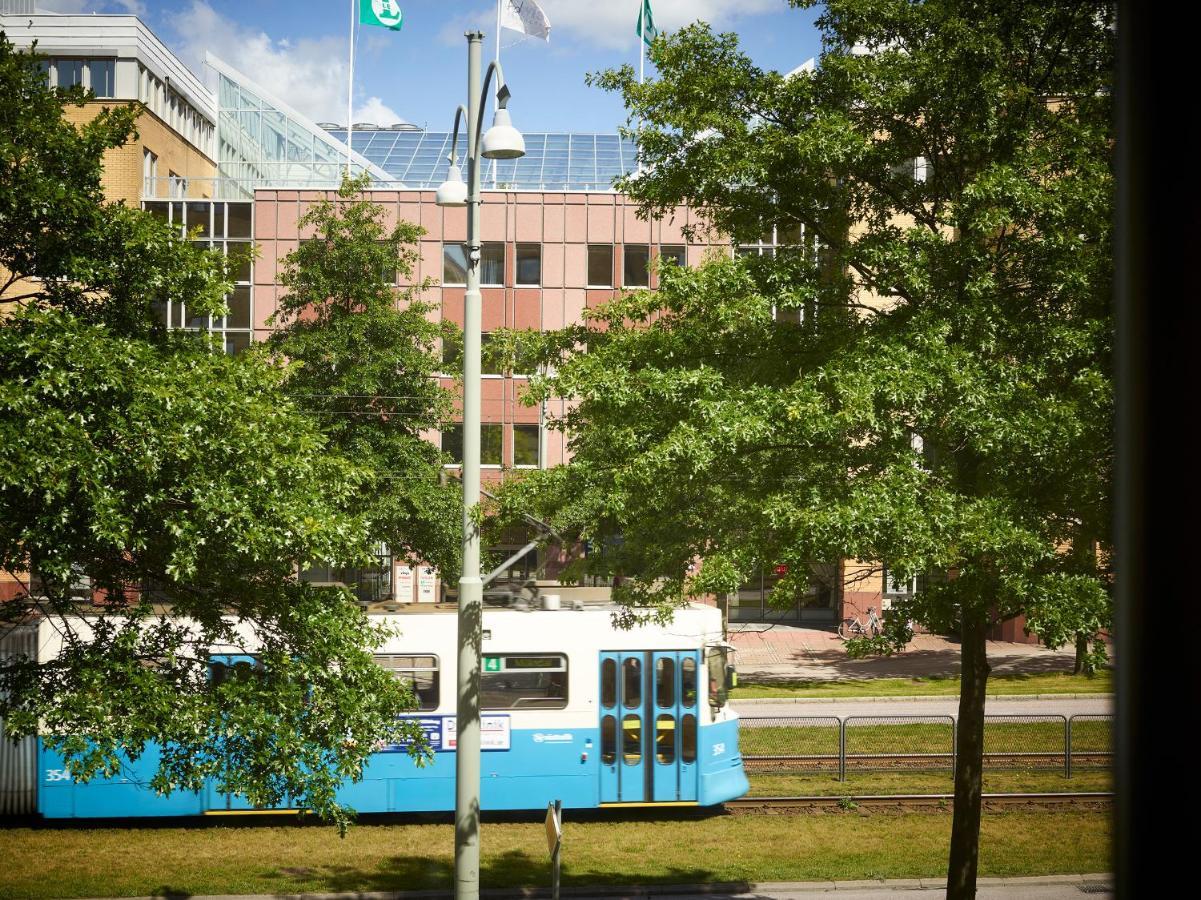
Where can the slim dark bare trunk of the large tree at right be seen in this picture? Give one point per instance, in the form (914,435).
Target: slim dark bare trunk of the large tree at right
(961,871)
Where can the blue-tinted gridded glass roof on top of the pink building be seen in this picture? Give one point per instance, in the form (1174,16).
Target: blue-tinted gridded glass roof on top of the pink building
(553,162)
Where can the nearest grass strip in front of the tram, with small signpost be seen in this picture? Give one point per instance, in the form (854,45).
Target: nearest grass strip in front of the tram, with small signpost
(715,848)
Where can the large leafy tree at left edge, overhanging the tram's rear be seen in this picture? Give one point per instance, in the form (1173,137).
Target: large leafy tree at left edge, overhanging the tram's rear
(157,498)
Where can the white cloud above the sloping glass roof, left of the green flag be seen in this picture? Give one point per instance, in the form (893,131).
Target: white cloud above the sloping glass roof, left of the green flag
(307,74)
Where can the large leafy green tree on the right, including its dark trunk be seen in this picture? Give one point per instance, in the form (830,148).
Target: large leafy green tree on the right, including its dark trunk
(923,378)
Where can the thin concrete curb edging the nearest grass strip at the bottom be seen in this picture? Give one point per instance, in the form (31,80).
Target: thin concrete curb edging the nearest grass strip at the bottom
(727,889)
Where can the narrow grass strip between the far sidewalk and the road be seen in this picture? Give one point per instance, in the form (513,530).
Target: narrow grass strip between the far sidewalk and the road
(934,687)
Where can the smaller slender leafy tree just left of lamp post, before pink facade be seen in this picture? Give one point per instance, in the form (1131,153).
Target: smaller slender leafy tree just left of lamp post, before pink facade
(365,366)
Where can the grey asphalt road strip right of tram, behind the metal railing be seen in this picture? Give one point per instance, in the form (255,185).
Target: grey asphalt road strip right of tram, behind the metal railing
(1101,705)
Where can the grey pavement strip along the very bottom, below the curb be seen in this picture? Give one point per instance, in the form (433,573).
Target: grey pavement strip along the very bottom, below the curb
(1050,887)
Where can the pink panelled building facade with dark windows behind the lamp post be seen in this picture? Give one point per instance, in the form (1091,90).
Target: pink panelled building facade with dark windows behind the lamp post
(547,257)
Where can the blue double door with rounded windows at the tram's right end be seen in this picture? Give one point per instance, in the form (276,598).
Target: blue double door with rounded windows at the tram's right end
(649,726)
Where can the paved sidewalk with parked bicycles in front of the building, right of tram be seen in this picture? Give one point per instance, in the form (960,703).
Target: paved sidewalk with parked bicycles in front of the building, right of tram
(784,653)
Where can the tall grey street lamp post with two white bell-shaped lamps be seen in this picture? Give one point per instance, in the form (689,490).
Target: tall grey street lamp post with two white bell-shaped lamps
(501,142)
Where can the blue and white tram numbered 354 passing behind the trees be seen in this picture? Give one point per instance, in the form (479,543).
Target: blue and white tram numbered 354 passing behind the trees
(572,710)
